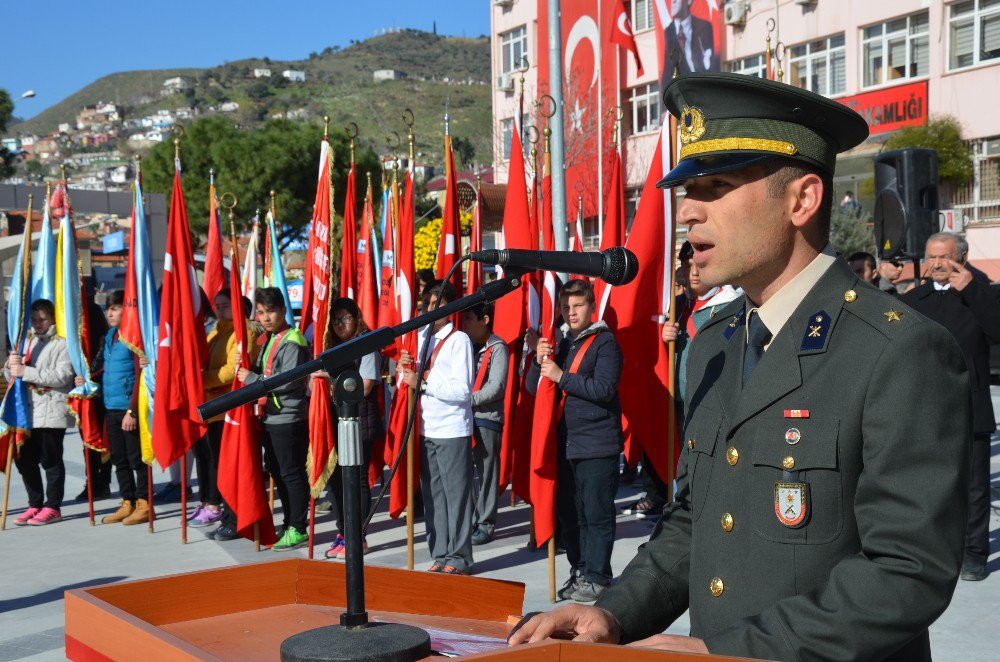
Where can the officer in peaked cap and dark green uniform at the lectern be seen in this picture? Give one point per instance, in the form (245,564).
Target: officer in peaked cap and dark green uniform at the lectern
(813,519)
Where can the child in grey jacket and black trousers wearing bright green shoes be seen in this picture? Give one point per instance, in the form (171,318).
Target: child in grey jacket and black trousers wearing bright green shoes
(284,413)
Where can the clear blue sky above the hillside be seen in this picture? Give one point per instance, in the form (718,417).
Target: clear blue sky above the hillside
(57,47)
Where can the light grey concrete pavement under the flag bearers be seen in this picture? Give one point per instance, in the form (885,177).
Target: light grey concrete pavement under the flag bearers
(40,563)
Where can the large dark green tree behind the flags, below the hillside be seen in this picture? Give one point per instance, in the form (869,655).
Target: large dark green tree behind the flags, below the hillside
(281,155)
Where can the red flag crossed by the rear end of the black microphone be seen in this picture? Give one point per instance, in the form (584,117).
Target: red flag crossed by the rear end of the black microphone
(511,310)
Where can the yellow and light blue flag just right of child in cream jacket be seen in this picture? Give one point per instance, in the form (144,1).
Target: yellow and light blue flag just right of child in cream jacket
(69,307)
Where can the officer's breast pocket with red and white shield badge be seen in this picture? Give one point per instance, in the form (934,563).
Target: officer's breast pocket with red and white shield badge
(796,491)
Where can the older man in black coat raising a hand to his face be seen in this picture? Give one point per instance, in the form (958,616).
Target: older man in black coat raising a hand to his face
(960,302)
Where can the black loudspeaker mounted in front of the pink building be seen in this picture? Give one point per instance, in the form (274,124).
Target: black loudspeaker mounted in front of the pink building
(906,201)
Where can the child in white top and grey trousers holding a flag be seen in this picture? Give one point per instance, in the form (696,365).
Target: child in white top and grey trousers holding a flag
(445,428)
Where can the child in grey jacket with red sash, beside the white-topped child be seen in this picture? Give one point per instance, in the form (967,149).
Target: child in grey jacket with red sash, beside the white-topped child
(487,414)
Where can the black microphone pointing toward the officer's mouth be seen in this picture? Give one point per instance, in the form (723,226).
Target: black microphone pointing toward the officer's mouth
(616,265)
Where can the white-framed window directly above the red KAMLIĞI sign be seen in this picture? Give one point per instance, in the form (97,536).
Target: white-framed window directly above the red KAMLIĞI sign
(895,50)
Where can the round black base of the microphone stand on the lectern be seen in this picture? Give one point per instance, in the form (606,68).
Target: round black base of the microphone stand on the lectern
(376,642)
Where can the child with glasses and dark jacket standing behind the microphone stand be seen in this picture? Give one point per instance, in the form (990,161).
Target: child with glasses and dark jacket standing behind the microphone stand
(345,324)
